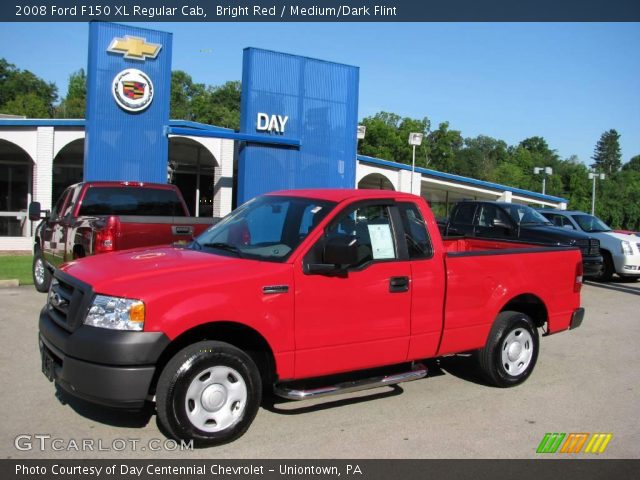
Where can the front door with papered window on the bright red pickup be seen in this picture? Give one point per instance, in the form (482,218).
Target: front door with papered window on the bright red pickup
(359,318)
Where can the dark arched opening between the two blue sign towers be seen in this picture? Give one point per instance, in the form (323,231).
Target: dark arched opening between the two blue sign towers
(191,168)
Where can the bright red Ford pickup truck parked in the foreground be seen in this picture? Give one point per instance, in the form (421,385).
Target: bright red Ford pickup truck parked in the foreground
(288,291)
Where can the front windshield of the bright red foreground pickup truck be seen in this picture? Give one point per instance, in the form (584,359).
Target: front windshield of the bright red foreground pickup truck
(266,228)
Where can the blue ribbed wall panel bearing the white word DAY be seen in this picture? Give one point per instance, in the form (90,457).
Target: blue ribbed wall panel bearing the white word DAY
(321,100)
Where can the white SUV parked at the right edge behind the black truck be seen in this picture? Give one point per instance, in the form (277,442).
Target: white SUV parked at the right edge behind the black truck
(620,252)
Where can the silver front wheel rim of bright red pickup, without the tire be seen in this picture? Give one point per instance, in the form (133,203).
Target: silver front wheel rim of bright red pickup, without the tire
(216,399)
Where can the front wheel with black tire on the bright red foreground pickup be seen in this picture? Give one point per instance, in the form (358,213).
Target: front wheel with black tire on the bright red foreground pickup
(182,401)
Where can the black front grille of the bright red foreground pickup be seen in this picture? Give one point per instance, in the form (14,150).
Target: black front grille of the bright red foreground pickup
(67,301)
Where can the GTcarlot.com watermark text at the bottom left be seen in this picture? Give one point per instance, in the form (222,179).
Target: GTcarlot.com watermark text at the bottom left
(41,442)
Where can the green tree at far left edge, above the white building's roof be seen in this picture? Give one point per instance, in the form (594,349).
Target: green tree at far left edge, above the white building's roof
(23,93)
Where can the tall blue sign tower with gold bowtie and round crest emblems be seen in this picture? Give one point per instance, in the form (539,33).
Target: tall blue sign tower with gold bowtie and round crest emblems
(123,145)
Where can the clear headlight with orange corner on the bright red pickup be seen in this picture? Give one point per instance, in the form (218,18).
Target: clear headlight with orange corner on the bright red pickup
(116,313)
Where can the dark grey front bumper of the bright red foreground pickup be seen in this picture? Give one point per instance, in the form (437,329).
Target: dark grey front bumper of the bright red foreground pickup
(109,367)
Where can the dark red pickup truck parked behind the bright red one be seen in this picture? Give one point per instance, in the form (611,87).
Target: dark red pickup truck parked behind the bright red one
(100,217)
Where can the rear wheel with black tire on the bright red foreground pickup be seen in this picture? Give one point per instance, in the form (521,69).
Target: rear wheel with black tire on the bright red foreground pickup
(511,330)
